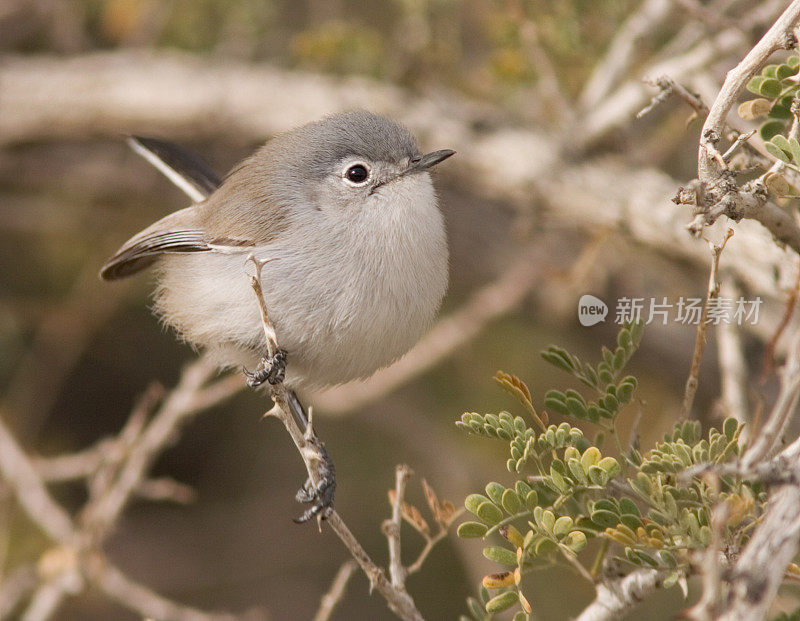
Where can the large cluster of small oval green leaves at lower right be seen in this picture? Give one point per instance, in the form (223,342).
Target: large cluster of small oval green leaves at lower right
(568,491)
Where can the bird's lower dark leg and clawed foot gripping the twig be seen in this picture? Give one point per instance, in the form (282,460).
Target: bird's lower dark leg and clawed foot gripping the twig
(321,494)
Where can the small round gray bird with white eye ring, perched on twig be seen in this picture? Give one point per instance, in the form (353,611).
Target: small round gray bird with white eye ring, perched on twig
(346,211)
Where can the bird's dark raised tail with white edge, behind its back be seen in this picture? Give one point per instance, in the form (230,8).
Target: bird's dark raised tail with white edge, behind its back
(185,169)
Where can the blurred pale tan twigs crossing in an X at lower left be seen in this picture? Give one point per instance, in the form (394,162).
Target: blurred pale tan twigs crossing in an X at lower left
(67,568)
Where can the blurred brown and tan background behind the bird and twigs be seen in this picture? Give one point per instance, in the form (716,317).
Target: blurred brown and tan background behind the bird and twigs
(557,190)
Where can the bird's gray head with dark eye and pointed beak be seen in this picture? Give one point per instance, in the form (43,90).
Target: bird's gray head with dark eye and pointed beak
(346,161)
